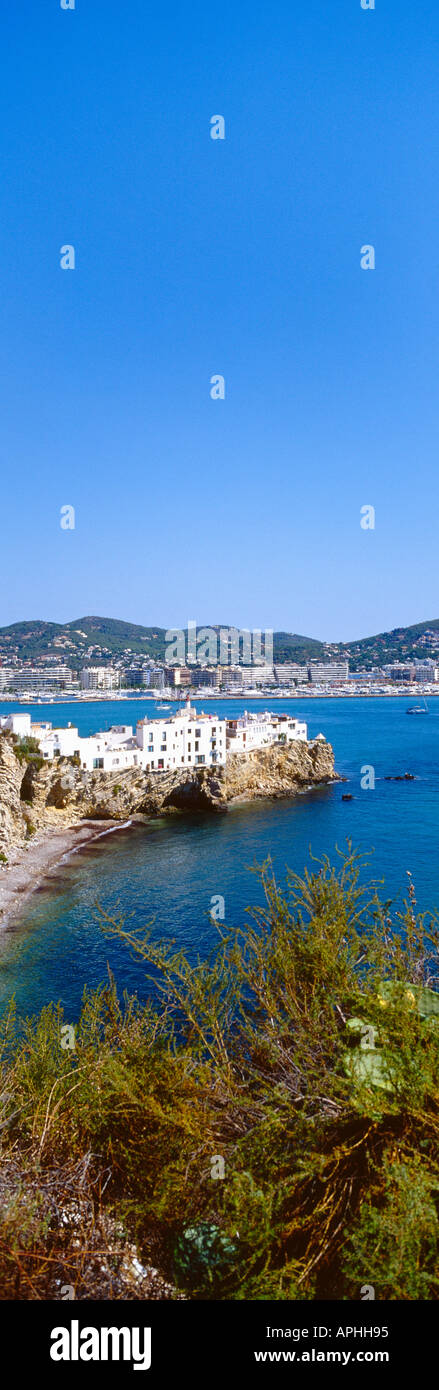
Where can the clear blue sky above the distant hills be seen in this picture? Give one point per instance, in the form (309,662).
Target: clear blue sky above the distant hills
(237,258)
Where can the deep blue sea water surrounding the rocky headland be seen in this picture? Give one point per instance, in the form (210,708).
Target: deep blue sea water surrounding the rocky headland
(166,874)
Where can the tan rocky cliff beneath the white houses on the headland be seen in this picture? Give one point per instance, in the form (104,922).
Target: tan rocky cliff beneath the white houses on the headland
(34,797)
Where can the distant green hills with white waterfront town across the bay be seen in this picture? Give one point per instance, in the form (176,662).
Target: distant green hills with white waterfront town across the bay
(95,660)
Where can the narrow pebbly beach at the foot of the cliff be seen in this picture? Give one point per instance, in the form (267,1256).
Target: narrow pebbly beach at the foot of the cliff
(30,865)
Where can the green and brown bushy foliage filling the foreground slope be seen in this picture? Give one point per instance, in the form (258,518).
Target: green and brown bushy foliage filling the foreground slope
(240,1131)
